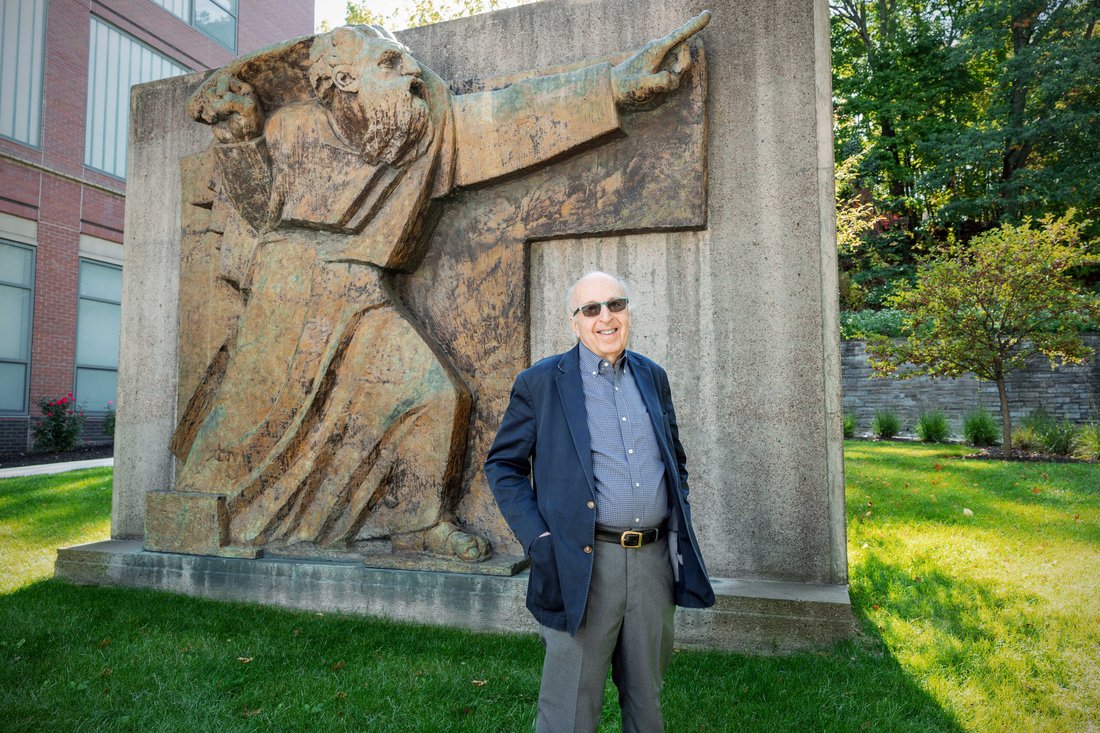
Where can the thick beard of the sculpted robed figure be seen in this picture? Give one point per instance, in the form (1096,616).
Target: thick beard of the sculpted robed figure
(387,125)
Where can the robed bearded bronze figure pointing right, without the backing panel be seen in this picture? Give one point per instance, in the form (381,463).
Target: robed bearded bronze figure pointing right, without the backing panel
(331,417)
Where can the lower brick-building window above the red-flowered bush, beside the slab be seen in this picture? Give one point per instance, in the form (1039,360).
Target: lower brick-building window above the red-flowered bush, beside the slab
(97,335)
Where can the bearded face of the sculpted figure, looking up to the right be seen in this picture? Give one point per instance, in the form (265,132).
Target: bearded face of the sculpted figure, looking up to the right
(380,103)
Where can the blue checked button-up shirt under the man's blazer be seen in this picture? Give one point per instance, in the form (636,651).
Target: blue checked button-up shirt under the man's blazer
(626,460)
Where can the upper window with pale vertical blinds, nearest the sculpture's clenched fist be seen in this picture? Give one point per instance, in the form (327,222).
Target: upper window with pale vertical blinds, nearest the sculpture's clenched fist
(116,63)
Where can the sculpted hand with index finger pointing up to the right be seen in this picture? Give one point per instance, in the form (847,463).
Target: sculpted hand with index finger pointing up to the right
(640,82)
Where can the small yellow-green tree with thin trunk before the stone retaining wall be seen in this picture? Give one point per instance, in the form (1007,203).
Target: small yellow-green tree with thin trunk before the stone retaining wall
(985,309)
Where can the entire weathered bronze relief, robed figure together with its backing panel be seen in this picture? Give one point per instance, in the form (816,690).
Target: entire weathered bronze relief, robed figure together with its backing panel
(329,401)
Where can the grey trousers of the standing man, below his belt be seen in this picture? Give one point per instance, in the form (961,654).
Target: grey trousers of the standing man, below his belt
(629,627)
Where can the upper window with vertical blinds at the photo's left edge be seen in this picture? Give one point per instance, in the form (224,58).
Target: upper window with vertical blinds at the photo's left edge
(23,47)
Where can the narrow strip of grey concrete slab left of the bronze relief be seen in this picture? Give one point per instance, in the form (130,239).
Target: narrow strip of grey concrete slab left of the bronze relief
(161,134)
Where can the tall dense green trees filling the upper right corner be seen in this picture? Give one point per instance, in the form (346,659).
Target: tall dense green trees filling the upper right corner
(966,115)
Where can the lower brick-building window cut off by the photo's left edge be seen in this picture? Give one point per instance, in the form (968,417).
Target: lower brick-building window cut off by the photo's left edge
(17,305)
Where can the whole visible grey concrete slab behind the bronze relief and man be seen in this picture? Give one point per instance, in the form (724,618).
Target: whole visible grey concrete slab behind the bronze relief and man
(743,314)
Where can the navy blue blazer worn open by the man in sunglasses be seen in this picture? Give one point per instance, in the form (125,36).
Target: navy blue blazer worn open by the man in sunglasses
(541,472)
